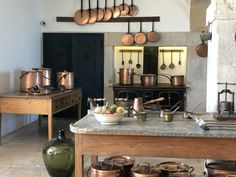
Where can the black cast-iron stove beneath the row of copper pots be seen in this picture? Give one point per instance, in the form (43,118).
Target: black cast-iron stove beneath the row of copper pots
(172,94)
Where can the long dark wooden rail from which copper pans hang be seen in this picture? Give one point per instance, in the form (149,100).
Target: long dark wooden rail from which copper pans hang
(116,20)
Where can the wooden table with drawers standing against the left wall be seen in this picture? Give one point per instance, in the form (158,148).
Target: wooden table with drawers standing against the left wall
(23,103)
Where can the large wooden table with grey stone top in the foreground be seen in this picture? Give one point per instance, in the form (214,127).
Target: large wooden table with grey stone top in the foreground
(153,138)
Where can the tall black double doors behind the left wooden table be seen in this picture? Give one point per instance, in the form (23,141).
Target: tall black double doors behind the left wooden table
(80,53)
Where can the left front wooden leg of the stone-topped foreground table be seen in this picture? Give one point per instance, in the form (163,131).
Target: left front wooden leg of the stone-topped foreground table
(79,157)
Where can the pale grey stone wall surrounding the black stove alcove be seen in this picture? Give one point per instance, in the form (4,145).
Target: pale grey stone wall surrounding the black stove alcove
(196,66)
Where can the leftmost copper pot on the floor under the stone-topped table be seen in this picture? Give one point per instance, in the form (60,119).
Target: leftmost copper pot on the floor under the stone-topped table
(104,170)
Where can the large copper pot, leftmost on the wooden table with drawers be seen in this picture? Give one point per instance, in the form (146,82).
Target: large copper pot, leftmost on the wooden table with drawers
(29,79)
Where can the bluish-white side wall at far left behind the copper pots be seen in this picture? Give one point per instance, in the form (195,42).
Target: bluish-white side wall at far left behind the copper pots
(20,49)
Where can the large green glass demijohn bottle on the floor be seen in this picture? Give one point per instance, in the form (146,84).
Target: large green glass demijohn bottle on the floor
(59,156)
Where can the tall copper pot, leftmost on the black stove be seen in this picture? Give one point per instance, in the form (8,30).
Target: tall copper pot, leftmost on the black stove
(126,76)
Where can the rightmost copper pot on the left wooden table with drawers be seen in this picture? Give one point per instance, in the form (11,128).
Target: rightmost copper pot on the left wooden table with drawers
(65,79)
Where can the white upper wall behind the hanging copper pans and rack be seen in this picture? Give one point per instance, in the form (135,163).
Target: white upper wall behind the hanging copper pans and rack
(174,16)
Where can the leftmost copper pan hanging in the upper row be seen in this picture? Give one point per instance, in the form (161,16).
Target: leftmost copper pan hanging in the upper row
(81,16)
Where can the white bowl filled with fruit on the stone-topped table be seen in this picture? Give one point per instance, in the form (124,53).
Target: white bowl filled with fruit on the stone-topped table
(109,115)
